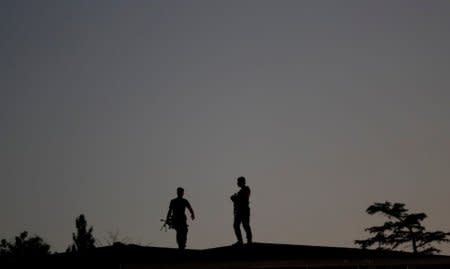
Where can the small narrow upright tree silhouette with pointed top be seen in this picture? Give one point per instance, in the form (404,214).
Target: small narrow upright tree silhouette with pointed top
(83,239)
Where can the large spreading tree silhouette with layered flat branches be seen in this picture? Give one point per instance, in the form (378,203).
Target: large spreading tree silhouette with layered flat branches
(400,229)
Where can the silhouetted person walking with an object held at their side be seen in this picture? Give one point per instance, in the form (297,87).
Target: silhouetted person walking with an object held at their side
(177,217)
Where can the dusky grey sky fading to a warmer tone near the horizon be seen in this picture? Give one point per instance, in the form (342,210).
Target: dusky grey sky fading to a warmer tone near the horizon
(106,107)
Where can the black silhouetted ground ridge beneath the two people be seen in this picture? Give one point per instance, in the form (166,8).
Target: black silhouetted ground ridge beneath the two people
(257,256)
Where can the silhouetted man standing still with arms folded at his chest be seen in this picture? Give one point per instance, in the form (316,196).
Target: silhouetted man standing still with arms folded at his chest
(241,201)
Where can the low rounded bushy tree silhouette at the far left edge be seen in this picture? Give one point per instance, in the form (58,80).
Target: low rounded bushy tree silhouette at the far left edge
(24,246)
